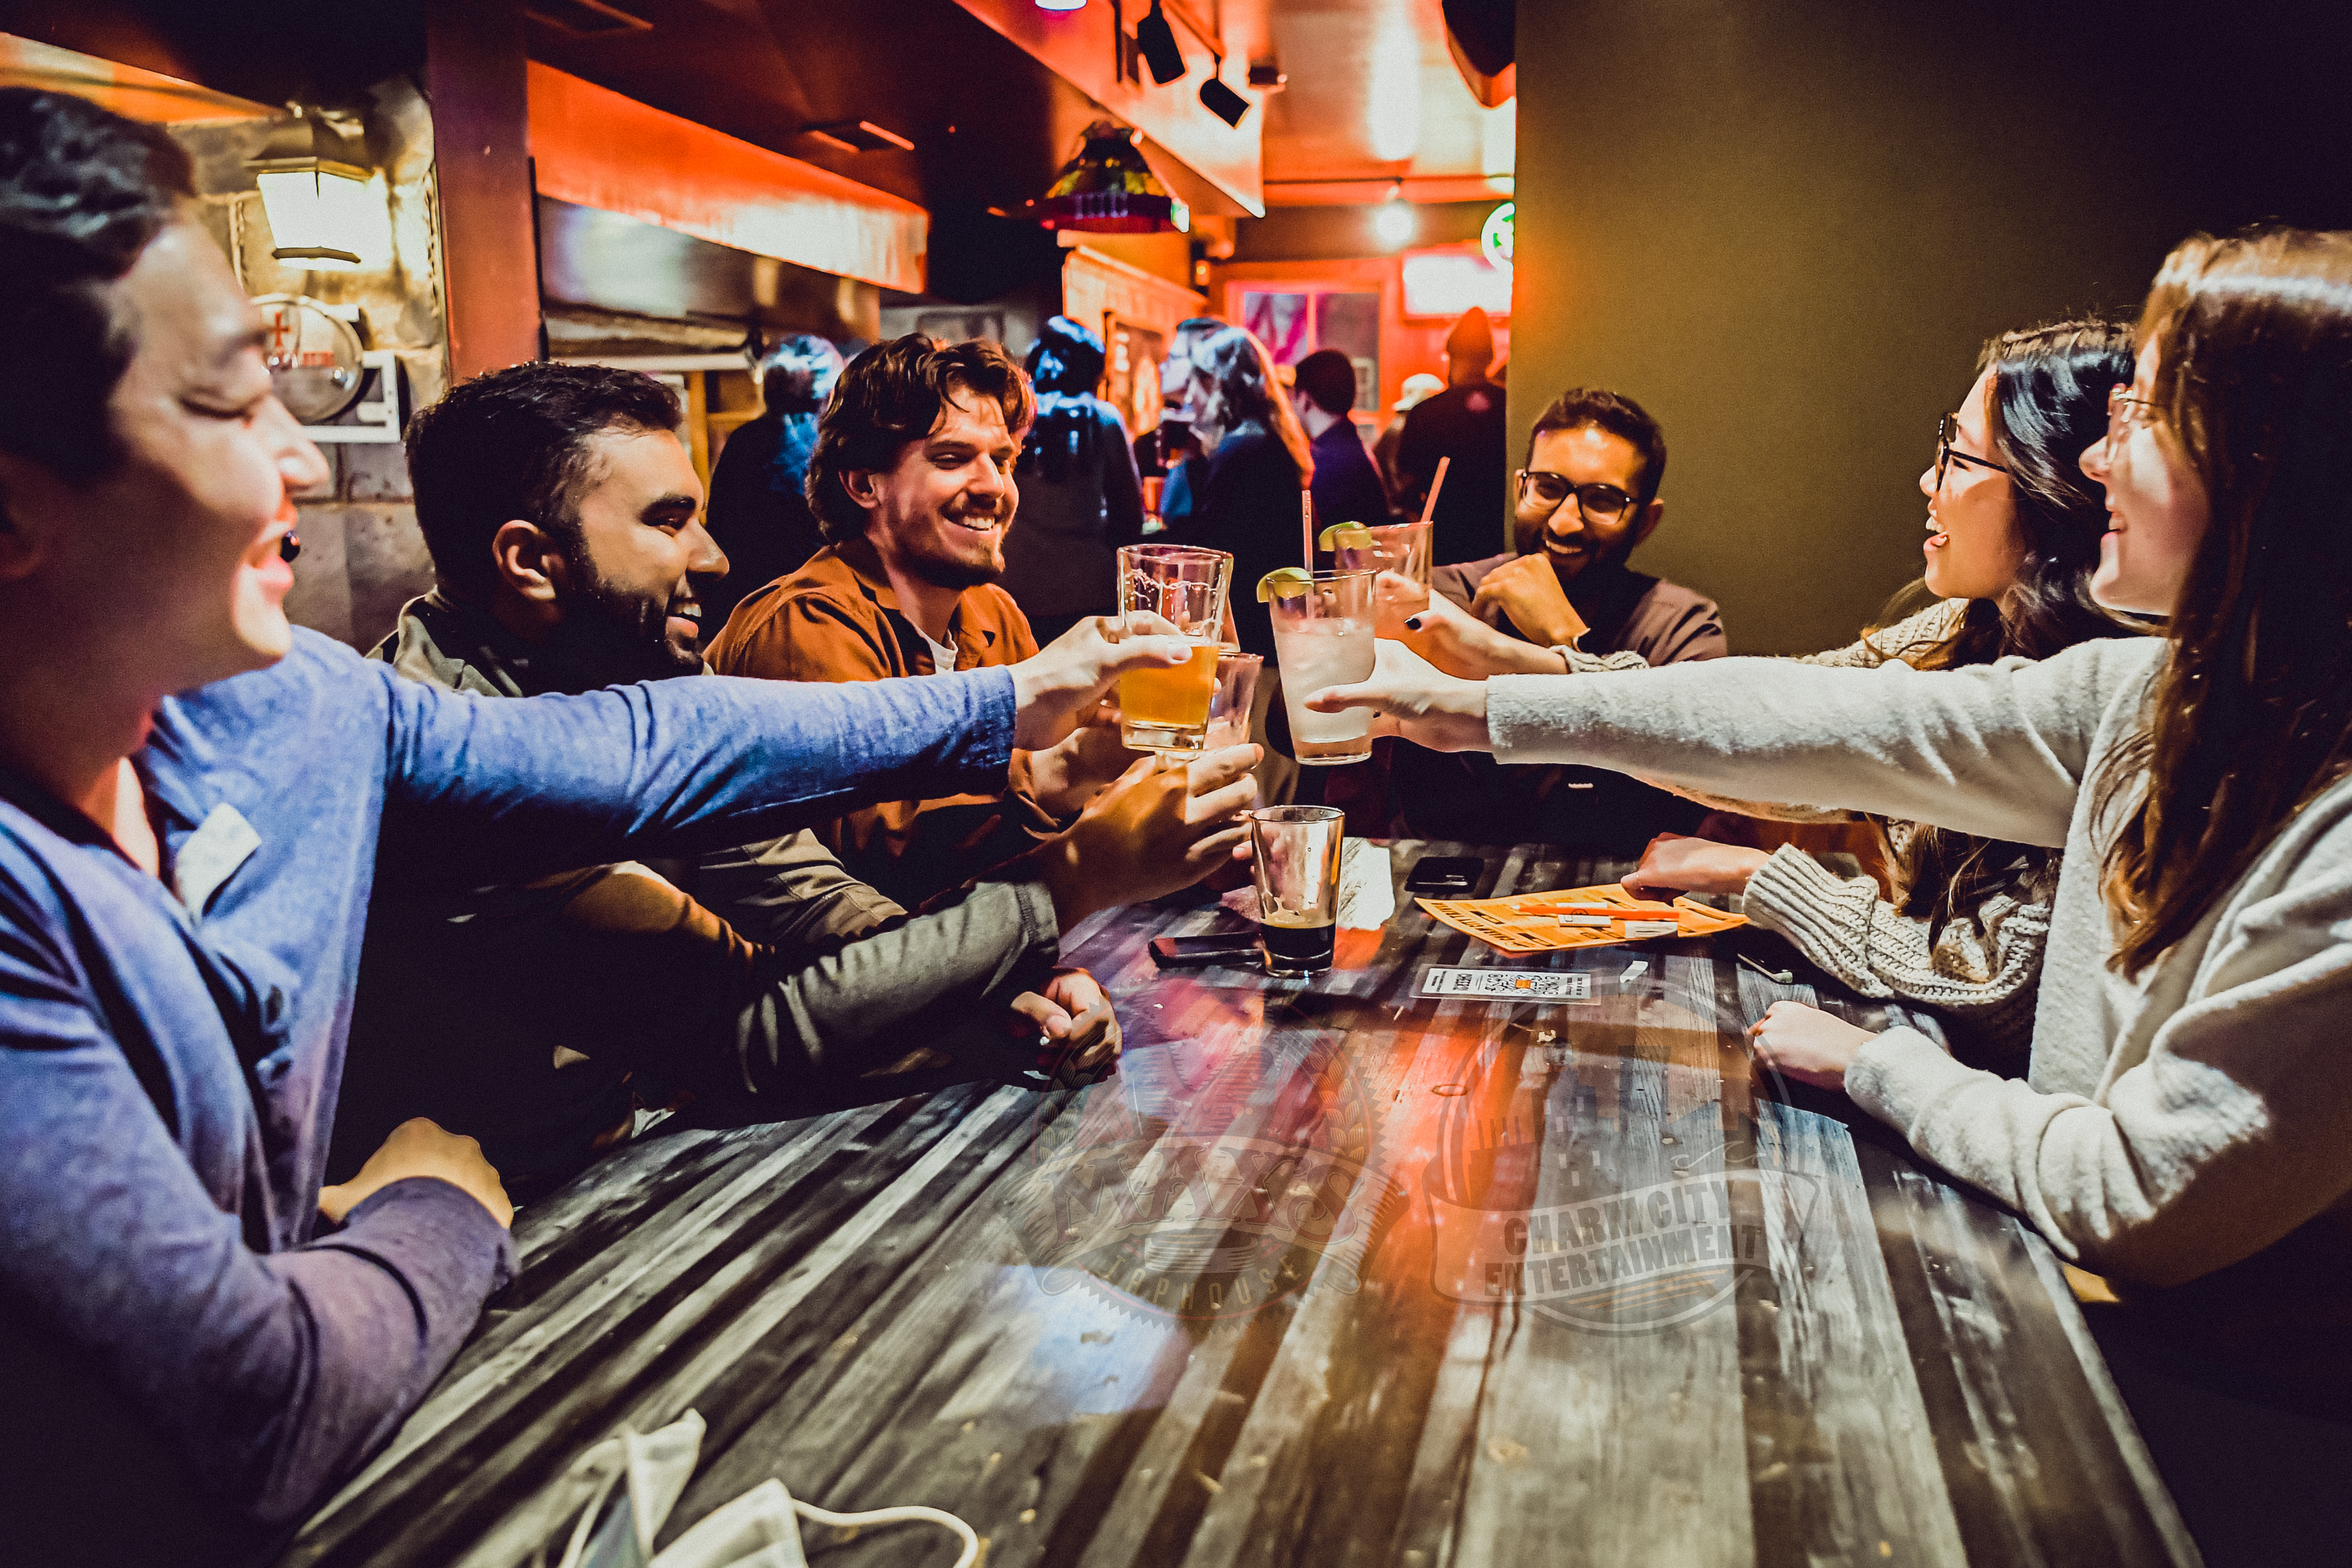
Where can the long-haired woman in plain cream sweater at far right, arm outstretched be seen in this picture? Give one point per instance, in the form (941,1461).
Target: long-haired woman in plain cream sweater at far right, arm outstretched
(2186,1108)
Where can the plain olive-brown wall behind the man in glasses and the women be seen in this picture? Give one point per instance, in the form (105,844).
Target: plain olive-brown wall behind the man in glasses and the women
(1789,232)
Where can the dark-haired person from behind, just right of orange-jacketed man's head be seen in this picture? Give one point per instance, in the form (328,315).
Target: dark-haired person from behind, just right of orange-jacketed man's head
(1081,495)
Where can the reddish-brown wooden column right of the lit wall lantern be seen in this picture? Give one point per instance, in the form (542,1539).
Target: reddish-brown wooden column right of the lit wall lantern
(479,83)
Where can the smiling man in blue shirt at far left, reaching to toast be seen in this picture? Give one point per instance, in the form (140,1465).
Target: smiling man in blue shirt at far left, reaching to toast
(194,810)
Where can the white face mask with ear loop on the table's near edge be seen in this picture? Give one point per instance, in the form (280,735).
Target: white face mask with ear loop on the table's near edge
(754,1532)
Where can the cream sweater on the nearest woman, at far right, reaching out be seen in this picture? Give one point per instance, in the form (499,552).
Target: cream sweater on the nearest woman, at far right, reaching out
(2167,1127)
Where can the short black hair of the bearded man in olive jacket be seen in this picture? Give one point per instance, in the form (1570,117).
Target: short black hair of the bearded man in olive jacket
(514,443)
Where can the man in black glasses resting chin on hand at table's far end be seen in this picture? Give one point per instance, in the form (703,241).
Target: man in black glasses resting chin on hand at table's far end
(1586,500)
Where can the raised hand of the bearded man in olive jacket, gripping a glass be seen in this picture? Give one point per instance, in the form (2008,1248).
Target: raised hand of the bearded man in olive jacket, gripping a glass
(1156,831)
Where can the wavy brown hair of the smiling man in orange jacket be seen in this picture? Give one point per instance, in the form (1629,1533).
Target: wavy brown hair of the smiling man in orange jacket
(893,396)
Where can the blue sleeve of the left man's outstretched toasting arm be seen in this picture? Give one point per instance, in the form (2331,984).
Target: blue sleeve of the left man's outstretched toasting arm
(516,789)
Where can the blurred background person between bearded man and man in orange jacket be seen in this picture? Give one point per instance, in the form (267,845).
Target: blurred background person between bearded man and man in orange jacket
(759,490)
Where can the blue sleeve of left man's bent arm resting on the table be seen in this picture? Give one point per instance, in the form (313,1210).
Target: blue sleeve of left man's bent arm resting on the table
(269,1374)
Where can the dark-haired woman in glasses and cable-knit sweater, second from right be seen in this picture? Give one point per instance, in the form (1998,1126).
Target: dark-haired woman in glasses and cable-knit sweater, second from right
(2014,532)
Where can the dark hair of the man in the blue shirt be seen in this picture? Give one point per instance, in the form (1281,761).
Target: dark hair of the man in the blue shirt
(81,194)
